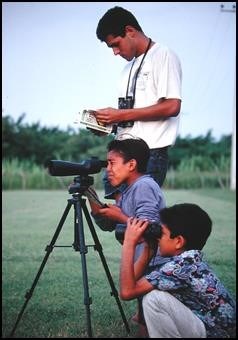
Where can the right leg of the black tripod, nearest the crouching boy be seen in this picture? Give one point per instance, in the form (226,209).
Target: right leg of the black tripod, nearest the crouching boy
(98,247)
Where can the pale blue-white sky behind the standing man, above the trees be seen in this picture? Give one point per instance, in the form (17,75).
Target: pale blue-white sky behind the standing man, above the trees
(54,66)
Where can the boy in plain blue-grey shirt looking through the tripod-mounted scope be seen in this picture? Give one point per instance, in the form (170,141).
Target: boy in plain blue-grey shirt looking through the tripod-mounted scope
(127,162)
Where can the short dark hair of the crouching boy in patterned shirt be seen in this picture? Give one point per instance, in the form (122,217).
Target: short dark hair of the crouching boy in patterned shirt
(189,221)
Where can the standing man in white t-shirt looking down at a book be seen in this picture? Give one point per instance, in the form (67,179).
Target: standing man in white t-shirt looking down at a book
(150,95)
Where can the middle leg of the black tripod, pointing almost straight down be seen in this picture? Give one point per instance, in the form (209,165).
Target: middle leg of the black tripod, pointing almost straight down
(79,244)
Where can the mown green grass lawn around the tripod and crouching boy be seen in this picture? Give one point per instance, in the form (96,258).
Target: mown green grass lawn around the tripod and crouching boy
(56,308)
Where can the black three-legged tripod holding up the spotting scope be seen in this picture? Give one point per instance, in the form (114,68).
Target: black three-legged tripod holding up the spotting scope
(80,185)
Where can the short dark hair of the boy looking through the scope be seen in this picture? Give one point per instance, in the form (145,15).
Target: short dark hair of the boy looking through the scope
(132,149)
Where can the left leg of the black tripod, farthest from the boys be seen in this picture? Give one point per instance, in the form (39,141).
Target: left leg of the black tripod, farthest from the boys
(48,249)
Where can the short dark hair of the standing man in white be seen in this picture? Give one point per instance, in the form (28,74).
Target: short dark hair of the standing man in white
(114,22)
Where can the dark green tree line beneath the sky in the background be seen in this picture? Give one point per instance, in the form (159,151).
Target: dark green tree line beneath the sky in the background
(38,144)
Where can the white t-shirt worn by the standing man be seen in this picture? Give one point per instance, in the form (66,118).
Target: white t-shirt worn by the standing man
(160,77)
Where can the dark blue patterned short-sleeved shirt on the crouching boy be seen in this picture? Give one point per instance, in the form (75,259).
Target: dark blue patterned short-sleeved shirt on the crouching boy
(188,278)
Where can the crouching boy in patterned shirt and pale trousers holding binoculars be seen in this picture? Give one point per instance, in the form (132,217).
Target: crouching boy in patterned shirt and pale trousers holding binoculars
(182,298)
